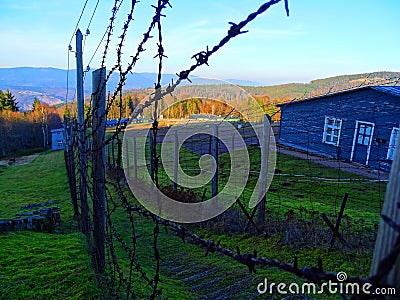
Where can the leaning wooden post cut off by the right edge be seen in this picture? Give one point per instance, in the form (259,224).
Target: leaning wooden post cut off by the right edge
(387,236)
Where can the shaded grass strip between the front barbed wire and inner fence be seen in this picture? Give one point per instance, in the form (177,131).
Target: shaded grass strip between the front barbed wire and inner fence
(354,263)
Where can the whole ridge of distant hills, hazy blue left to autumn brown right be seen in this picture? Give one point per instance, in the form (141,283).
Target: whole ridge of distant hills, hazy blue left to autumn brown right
(50,85)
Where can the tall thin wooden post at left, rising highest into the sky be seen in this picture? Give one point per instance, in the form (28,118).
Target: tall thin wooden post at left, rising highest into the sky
(81,134)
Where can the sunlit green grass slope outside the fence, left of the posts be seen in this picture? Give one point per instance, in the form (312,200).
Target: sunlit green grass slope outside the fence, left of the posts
(41,265)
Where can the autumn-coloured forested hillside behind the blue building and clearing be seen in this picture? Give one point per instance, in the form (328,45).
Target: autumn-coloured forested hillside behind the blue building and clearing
(266,96)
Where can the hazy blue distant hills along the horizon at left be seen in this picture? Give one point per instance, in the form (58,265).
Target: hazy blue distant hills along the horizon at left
(50,84)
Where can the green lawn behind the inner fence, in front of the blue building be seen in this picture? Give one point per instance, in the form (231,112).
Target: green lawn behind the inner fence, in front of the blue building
(305,187)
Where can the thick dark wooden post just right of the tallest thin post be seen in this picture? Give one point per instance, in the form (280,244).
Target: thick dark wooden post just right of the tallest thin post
(98,166)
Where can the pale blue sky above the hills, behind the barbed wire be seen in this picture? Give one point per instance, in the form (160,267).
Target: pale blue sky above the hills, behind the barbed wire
(320,38)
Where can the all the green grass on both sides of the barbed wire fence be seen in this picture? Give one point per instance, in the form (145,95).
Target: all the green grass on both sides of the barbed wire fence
(57,266)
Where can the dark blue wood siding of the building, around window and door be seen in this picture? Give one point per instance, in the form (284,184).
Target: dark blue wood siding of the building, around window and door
(302,123)
